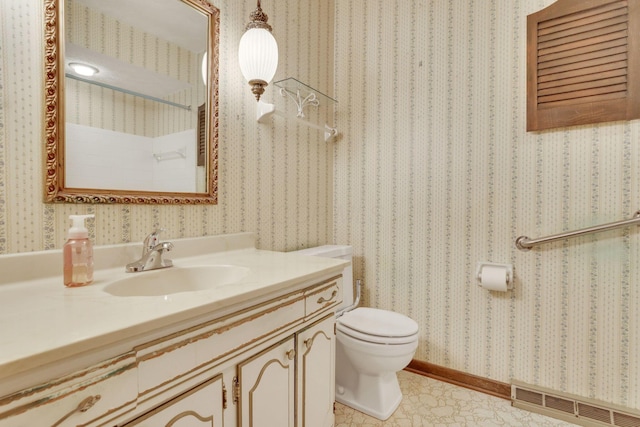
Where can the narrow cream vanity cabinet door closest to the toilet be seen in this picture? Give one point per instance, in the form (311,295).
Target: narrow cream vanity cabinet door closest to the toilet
(316,374)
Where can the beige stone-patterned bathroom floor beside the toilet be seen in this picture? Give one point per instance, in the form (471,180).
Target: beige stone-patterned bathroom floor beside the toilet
(428,402)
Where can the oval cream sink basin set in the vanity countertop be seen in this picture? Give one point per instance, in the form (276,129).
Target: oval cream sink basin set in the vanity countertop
(174,280)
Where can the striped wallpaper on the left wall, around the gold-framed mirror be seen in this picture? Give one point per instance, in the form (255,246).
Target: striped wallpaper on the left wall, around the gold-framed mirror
(275,178)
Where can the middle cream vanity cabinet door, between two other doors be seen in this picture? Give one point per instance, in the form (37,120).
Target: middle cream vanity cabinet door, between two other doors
(267,387)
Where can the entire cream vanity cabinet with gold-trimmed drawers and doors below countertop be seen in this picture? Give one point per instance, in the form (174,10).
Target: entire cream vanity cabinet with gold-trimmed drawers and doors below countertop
(269,361)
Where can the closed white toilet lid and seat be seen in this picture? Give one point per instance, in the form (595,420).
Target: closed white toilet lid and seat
(378,323)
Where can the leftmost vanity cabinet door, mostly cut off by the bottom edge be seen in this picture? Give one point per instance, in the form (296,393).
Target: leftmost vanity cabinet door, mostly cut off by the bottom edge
(199,407)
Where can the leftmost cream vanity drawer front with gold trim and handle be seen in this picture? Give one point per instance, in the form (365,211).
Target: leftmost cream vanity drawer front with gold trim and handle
(87,397)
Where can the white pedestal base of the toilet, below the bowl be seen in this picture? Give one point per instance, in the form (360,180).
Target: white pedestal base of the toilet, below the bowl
(377,396)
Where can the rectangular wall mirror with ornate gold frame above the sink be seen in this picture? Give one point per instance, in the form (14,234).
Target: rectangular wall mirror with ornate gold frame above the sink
(143,128)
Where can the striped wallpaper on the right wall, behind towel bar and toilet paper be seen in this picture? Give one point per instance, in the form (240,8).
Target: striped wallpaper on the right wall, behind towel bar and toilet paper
(436,172)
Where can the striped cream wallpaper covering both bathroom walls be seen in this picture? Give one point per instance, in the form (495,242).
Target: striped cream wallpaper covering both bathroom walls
(433,172)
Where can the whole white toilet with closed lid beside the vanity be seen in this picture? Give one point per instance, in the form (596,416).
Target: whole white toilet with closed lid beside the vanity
(372,346)
